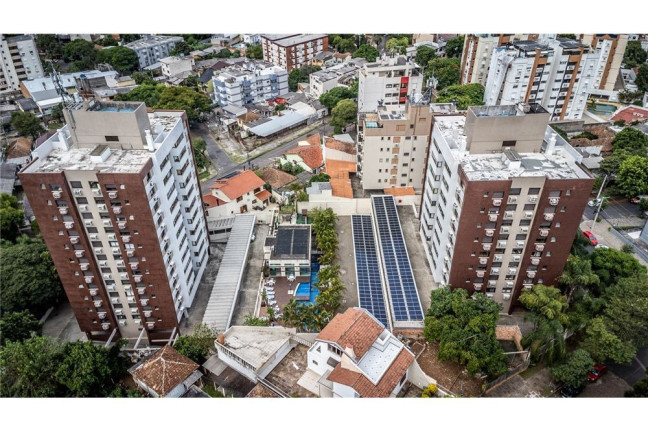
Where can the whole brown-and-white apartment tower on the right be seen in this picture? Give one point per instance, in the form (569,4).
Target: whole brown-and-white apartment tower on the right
(503,198)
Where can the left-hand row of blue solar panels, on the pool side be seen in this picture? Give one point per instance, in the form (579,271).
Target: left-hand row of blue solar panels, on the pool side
(370,290)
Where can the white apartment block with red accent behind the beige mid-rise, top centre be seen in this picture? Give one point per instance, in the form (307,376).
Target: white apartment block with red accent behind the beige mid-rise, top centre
(388,81)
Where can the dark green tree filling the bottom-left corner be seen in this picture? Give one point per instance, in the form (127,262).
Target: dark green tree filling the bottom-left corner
(28,368)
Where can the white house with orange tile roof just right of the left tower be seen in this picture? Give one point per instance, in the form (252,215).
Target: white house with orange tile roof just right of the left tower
(239,194)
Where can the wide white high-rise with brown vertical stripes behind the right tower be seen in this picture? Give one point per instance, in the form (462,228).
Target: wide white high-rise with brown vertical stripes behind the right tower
(558,74)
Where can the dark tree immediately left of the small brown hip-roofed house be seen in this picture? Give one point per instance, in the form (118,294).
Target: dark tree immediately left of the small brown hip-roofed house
(89,370)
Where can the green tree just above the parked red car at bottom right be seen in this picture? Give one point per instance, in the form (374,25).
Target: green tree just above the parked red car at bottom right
(604,345)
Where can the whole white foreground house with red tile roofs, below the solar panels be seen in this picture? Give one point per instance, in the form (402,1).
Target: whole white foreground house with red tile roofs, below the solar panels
(356,356)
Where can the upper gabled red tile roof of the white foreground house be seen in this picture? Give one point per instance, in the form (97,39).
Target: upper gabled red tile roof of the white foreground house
(354,328)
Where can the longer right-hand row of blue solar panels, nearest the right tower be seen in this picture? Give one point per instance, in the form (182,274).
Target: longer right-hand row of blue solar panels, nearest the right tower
(404,299)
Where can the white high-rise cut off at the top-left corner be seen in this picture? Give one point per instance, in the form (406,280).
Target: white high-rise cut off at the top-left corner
(18,61)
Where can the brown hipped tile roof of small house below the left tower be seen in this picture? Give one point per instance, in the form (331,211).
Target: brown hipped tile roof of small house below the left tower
(164,370)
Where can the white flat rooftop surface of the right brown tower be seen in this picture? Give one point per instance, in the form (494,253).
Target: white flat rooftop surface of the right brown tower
(503,166)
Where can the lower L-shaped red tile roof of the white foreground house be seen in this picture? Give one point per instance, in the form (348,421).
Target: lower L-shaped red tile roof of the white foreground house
(364,387)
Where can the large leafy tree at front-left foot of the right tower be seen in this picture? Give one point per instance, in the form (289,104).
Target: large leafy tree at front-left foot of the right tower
(465,330)
